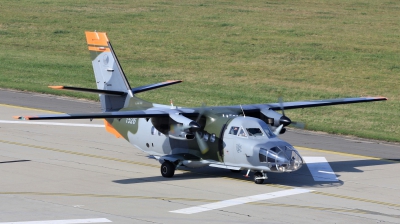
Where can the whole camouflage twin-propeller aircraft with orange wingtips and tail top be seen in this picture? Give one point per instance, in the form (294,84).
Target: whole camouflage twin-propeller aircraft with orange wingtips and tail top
(230,137)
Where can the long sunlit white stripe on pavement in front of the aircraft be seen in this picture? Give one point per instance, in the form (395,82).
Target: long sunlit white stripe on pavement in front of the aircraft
(239,201)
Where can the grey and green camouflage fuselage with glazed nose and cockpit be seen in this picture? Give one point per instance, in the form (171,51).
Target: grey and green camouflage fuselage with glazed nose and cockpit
(232,140)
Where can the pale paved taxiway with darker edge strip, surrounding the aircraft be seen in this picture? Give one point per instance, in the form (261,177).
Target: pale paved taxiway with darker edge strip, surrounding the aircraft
(82,174)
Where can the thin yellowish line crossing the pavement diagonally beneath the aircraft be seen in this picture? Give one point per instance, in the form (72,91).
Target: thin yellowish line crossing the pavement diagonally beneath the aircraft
(229,178)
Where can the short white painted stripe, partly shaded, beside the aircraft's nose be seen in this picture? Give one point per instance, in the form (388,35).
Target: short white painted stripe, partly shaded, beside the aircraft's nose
(320,169)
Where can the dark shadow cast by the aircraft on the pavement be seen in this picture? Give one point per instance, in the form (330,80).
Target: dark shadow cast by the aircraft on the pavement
(300,178)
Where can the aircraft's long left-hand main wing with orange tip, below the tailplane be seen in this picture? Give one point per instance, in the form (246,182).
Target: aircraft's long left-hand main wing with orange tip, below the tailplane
(117,114)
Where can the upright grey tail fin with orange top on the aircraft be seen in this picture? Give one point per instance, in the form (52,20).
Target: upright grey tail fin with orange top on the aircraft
(108,72)
